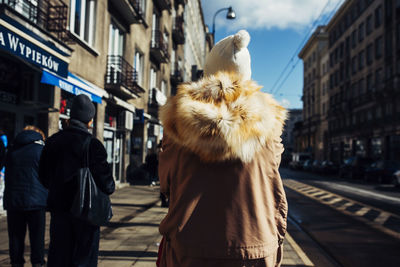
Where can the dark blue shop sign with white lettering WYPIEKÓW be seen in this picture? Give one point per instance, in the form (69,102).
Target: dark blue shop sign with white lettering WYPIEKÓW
(30,52)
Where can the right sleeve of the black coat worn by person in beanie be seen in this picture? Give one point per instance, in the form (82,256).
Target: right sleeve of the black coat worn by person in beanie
(99,167)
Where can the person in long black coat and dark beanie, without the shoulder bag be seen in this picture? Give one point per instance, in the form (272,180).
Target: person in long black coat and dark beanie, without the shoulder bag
(73,242)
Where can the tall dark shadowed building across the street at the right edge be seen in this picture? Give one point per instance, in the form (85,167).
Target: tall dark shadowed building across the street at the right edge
(364,51)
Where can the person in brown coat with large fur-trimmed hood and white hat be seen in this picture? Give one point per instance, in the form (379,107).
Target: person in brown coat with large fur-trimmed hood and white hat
(219,167)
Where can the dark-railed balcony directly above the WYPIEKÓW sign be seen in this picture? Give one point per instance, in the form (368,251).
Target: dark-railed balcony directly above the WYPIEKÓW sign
(48,15)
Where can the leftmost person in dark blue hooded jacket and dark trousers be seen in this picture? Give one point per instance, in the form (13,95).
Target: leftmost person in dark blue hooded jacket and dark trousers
(25,197)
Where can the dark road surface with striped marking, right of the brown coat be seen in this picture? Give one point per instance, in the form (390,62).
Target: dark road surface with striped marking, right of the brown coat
(356,224)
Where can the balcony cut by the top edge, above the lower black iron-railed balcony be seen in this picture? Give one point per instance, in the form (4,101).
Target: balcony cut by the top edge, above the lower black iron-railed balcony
(131,10)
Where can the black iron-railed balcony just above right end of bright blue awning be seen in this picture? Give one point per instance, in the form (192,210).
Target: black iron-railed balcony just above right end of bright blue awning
(121,78)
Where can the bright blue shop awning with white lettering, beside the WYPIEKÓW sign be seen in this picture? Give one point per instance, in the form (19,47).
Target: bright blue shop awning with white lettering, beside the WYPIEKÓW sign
(73,85)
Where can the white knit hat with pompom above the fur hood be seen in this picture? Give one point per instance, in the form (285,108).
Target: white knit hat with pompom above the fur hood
(230,54)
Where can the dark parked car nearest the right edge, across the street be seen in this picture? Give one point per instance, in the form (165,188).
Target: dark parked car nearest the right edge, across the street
(382,171)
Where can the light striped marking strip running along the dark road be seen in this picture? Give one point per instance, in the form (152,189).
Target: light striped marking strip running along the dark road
(320,194)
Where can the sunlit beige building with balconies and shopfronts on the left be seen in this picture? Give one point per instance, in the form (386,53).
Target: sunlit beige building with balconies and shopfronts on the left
(127,56)
